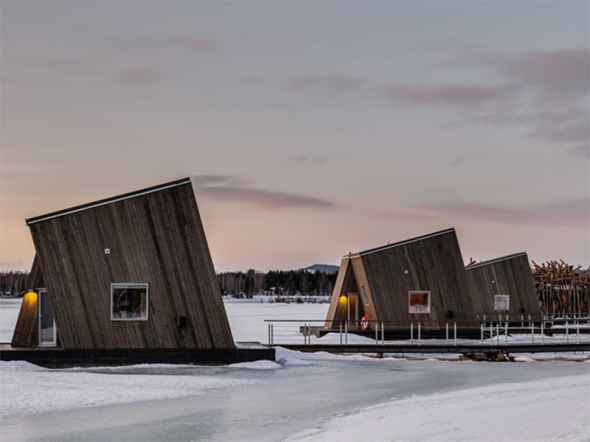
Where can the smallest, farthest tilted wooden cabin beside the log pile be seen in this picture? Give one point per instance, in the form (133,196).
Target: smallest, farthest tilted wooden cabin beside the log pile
(505,285)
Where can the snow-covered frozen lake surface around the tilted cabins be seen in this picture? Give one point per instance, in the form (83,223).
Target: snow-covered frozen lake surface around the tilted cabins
(315,397)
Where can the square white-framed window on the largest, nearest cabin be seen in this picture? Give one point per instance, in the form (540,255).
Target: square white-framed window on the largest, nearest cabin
(129,302)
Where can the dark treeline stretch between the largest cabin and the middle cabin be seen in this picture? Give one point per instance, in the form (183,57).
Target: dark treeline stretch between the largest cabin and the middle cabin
(279,282)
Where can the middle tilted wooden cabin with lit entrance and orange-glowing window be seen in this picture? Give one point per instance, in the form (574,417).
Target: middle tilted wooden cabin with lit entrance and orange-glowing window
(418,280)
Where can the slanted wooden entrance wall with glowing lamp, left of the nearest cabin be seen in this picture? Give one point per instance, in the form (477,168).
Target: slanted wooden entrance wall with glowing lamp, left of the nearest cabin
(26,329)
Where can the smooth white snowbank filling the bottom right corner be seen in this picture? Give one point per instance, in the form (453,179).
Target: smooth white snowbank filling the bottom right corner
(552,409)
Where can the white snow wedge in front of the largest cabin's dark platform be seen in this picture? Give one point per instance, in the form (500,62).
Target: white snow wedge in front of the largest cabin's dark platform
(26,388)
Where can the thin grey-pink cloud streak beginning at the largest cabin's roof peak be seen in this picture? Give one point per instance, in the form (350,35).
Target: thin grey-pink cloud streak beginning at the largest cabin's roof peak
(228,188)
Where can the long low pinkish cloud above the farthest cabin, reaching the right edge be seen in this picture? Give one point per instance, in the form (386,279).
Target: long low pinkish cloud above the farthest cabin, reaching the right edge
(568,212)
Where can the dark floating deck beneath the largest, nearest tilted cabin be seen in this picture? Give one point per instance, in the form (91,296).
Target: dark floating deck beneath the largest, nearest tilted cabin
(59,357)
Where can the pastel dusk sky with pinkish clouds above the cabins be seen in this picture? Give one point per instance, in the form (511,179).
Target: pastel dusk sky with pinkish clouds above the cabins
(310,129)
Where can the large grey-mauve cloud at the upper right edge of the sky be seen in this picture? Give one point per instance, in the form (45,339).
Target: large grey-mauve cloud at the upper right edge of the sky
(551,91)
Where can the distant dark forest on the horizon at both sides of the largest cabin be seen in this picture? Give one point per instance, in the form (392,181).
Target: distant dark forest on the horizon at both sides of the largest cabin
(248,283)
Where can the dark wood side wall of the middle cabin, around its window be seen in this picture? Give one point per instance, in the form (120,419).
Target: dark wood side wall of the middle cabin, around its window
(433,264)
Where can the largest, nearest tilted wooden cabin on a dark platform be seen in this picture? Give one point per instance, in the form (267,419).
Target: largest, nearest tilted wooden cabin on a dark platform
(129,272)
